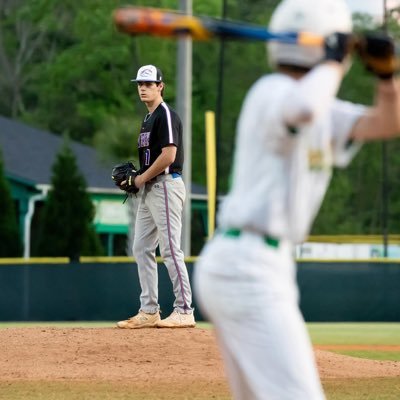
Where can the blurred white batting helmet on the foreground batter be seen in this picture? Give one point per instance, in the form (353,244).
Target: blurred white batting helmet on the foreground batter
(322,17)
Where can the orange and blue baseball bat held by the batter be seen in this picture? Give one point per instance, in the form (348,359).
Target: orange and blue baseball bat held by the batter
(168,23)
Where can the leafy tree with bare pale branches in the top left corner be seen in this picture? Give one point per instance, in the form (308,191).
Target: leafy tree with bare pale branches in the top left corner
(26,40)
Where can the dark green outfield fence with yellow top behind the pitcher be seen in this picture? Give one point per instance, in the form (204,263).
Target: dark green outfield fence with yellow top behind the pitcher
(107,289)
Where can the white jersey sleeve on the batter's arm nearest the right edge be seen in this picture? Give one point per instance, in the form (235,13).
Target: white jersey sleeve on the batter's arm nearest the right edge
(344,116)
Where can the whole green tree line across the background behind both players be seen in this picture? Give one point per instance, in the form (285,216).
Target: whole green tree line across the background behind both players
(65,68)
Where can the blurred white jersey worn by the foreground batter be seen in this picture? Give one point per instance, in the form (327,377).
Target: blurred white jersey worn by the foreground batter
(281,174)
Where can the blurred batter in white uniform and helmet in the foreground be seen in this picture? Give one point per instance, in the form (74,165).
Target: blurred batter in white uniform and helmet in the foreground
(291,132)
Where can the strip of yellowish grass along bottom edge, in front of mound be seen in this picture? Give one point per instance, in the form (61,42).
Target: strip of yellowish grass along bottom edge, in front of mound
(337,389)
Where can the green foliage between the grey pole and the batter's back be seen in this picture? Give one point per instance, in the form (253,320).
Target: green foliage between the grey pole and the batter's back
(243,64)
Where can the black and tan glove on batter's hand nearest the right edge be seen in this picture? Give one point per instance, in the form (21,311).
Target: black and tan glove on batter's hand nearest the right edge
(378,53)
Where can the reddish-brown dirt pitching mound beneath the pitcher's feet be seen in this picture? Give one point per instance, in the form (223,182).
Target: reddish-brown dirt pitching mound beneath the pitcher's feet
(164,355)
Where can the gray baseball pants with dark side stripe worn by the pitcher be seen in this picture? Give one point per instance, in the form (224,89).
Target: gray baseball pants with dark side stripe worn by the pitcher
(159,222)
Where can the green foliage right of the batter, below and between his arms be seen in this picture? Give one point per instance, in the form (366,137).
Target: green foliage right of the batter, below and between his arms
(354,202)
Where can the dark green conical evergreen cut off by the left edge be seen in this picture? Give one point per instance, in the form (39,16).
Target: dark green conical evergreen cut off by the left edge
(10,240)
